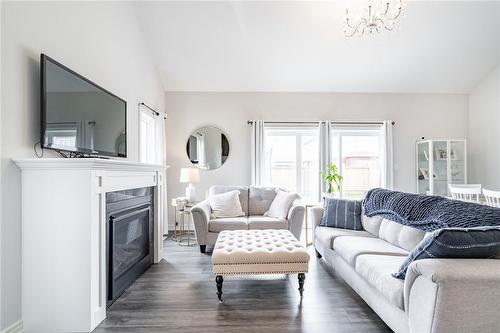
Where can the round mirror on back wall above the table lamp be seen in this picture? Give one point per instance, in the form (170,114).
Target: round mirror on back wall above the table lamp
(207,148)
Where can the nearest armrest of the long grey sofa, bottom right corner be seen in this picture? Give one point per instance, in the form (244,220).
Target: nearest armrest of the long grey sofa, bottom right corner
(453,295)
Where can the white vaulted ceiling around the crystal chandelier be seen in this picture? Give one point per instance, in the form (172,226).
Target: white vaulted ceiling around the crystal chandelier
(443,46)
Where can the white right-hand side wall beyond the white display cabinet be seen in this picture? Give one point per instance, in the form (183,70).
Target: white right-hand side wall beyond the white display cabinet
(484,132)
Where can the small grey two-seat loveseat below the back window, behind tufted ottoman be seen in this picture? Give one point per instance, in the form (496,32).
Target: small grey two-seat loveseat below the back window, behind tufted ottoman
(255,201)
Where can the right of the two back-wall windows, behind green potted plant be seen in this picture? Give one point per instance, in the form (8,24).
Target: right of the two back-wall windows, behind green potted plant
(357,152)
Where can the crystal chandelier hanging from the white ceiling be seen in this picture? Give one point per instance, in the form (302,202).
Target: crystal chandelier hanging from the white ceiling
(375,17)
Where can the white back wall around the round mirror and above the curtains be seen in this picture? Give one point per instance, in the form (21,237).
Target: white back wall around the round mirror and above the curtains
(416,115)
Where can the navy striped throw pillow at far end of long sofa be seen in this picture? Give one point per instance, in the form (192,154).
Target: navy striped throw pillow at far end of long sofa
(343,214)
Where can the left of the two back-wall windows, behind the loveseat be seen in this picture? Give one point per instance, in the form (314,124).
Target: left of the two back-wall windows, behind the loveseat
(291,159)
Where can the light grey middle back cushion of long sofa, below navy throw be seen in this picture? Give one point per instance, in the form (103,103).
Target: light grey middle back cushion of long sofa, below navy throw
(400,235)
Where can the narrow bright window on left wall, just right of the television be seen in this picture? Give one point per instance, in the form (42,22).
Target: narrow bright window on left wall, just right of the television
(150,138)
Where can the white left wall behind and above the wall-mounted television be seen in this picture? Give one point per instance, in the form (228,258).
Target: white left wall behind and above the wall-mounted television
(100,40)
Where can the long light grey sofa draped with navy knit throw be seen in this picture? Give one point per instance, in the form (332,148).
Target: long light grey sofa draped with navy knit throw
(438,295)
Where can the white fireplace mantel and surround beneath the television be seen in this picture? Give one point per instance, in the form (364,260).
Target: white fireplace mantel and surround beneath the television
(63,236)
